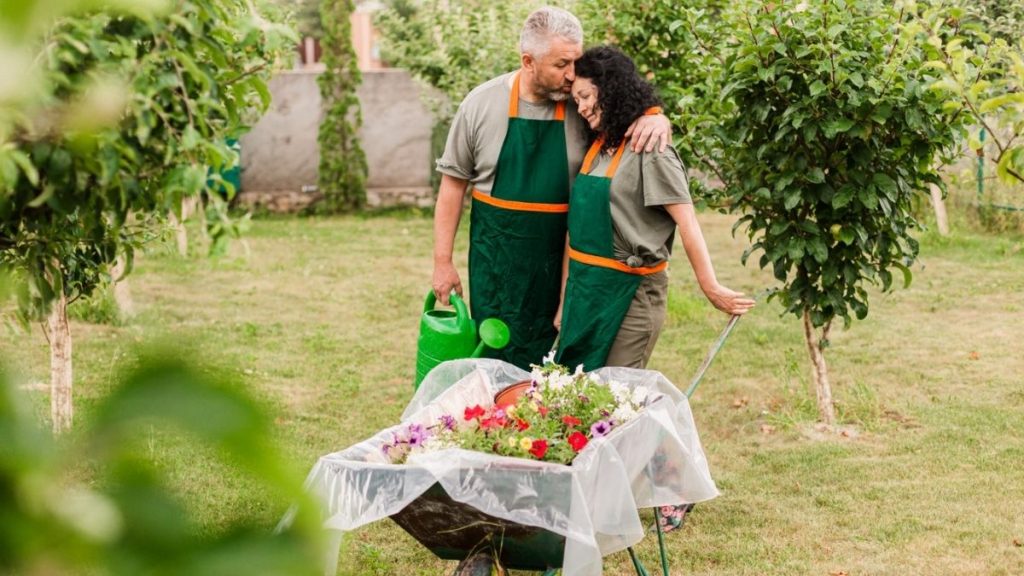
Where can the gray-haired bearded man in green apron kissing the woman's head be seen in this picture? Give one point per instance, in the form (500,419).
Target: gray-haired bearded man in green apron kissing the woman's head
(520,142)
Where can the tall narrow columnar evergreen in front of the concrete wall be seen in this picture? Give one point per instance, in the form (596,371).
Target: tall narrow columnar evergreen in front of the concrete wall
(344,164)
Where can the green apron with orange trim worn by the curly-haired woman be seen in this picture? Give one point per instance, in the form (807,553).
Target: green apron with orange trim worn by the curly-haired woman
(600,290)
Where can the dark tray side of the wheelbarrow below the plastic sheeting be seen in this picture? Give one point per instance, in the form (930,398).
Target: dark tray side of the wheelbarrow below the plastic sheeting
(454,531)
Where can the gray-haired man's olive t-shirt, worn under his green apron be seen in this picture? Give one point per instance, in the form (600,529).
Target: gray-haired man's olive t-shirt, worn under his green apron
(481,125)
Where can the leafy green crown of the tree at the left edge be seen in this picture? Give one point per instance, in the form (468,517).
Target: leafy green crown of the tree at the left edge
(132,117)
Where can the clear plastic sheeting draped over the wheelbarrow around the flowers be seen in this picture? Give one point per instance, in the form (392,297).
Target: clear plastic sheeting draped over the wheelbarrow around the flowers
(653,461)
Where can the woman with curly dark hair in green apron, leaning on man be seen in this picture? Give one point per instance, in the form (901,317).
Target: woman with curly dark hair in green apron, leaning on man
(624,211)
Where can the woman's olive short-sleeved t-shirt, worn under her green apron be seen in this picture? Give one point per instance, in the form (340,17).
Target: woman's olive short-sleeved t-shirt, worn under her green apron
(643,186)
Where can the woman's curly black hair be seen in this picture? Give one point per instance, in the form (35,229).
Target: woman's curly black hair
(622,95)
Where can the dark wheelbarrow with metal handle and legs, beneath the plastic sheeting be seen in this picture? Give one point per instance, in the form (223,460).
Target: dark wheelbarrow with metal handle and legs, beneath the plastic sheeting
(454,530)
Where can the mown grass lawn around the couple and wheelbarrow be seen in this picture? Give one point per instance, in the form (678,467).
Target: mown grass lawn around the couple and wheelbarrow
(320,319)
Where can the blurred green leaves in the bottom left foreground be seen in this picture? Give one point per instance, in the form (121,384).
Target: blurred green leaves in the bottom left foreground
(126,520)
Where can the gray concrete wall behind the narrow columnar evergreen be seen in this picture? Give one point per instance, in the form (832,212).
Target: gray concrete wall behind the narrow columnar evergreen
(281,155)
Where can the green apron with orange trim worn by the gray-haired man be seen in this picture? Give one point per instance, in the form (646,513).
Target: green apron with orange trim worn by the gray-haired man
(518,236)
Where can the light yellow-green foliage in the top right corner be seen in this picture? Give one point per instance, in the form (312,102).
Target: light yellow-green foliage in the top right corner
(983,75)
